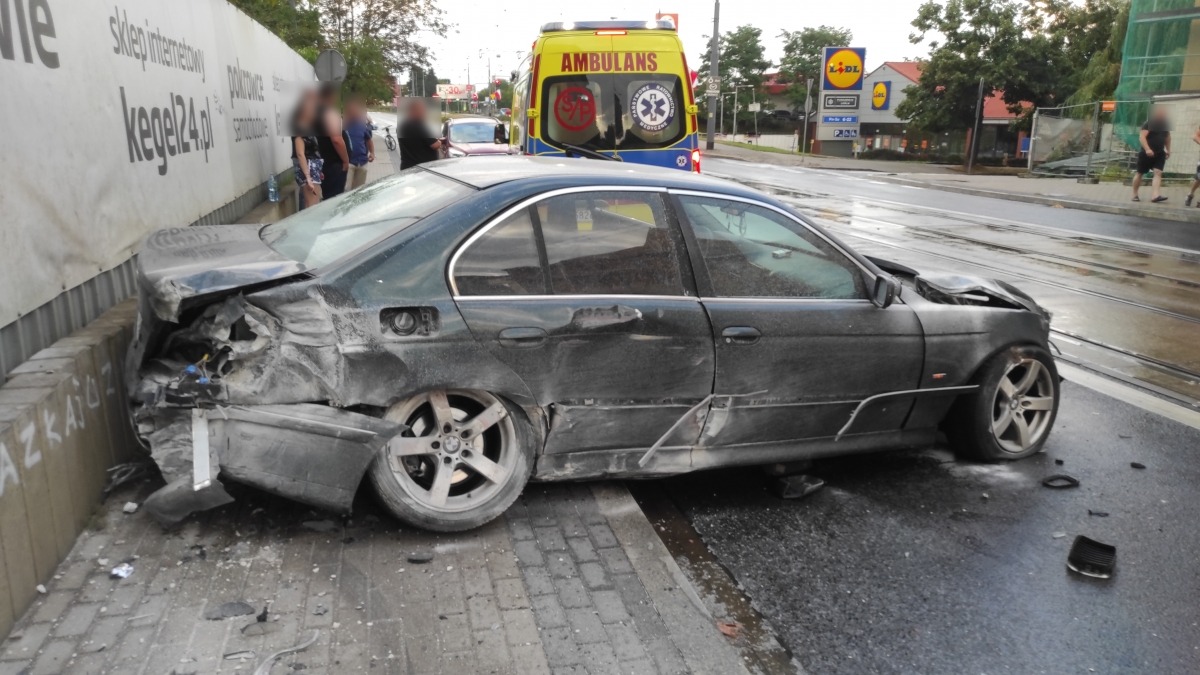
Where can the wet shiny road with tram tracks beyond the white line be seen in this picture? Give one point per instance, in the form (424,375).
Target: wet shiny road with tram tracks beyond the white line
(1125,292)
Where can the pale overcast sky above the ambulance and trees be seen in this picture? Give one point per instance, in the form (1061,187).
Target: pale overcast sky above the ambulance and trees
(500,31)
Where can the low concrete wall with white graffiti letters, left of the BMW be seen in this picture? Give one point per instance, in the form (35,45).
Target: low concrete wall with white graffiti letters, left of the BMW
(63,425)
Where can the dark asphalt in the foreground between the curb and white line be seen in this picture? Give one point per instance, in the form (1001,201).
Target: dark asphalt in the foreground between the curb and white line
(914,563)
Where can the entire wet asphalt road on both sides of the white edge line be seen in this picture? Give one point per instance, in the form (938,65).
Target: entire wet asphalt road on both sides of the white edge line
(916,563)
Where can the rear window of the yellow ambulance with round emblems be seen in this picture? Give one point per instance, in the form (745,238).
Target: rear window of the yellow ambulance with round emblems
(614,112)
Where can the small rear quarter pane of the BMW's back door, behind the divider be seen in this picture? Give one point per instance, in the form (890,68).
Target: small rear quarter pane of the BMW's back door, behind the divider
(502,262)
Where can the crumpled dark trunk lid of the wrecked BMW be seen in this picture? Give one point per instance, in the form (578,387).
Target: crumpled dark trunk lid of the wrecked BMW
(187,262)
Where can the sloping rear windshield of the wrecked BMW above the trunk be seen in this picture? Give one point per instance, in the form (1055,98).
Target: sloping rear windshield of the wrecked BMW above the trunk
(331,230)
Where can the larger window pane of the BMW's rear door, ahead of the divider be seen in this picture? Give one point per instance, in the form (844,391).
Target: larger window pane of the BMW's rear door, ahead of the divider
(610,243)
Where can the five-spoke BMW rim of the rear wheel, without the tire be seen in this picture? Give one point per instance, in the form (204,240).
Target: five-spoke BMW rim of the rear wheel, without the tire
(455,445)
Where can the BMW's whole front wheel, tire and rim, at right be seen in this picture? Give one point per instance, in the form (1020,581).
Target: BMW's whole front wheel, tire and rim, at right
(1010,417)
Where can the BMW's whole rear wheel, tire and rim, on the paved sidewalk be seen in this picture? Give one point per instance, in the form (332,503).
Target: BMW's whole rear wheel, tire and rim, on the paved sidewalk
(465,459)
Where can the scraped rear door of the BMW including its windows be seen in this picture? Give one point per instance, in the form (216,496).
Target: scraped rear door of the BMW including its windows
(589,297)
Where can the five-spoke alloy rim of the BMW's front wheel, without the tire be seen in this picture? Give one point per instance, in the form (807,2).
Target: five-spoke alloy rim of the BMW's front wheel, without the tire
(1023,407)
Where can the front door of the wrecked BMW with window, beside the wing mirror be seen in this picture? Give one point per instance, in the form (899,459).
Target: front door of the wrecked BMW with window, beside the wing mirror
(799,343)
